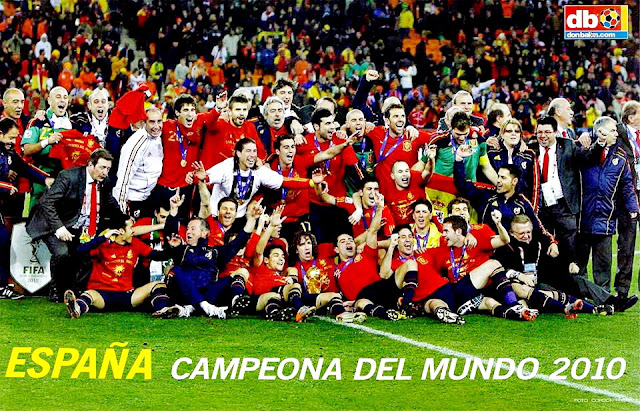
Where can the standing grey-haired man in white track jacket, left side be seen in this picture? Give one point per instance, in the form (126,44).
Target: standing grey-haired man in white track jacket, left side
(140,167)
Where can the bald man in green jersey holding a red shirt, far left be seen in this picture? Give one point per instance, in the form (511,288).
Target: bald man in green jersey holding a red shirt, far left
(42,134)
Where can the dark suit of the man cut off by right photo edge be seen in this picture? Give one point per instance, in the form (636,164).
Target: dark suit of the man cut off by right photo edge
(627,226)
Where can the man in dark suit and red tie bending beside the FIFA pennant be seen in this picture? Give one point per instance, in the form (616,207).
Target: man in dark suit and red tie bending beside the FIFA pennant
(69,214)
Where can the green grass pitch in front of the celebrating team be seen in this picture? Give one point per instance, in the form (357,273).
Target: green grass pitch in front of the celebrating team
(37,323)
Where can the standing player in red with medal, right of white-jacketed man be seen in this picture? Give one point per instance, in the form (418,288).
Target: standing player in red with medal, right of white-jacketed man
(181,139)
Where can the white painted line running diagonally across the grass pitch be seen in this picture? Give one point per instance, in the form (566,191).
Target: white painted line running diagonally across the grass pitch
(459,354)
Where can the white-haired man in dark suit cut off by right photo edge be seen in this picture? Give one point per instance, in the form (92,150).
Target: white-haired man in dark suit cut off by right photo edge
(629,137)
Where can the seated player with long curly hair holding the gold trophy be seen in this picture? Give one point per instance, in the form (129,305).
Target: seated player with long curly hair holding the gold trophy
(315,275)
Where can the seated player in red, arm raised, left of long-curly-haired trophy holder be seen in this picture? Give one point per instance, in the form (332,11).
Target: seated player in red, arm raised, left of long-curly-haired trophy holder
(277,291)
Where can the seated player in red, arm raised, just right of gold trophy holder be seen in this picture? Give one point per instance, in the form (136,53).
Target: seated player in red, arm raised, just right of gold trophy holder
(357,273)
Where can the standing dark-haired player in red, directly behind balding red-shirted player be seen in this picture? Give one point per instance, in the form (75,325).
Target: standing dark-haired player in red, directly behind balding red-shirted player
(390,145)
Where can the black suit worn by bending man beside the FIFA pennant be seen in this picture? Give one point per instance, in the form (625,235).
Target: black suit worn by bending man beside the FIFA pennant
(61,206)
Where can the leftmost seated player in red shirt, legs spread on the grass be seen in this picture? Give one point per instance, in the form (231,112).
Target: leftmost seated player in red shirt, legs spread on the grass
(110,286)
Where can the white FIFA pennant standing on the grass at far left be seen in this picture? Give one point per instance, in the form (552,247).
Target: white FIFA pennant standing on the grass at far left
(29,261)
